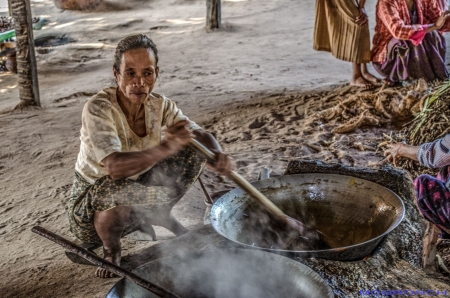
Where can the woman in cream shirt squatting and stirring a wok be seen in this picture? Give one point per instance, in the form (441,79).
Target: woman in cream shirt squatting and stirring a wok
(125,169)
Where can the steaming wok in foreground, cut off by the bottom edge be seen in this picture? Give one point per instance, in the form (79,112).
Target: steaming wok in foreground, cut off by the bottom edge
(237,273)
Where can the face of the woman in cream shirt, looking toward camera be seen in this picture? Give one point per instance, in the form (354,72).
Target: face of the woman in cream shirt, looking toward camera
(138,73)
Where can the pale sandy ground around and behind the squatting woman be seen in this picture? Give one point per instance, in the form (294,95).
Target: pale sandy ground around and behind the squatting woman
(256,83)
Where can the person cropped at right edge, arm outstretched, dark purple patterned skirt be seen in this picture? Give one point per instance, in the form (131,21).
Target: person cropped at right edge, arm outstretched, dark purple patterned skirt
(432,193)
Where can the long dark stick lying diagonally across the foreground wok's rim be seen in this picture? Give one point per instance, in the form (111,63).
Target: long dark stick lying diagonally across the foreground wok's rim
(96,260)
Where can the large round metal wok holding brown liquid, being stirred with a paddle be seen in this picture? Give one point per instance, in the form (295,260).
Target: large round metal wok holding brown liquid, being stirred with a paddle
(353,214)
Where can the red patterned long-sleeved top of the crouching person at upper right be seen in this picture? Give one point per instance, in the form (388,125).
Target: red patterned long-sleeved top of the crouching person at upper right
(393,21)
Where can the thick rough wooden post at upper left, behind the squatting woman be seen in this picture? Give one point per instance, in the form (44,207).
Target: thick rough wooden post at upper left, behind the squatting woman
(26,58)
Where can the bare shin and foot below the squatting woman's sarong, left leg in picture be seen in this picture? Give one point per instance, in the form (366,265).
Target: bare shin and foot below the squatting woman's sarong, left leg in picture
(109,226)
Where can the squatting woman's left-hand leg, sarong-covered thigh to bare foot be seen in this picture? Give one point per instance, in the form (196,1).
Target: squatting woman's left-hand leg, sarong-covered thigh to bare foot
(103,211)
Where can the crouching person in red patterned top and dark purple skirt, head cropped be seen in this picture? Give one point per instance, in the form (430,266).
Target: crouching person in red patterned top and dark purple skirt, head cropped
(407,44)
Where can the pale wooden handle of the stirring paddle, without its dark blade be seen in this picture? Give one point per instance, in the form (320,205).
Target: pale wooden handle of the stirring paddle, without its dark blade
(239,180)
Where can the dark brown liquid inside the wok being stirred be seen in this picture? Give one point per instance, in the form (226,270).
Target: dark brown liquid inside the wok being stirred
(260,231)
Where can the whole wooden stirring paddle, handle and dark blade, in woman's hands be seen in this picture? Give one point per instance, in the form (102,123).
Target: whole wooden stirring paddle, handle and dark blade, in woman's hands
(293,232)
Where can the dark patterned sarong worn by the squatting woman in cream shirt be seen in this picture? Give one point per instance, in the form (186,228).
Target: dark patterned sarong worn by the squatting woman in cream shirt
(162,185)
